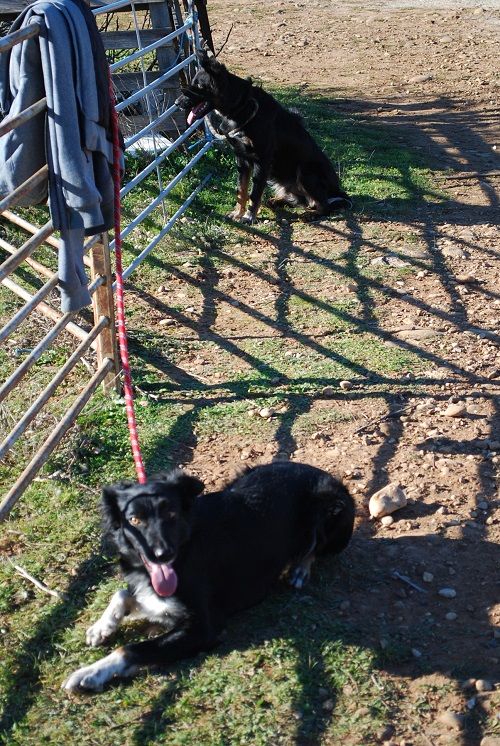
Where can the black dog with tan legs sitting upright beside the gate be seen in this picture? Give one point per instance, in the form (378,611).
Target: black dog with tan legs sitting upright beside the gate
(267,138)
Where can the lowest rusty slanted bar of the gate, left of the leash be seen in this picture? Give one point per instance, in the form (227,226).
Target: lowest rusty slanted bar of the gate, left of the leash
(53,440)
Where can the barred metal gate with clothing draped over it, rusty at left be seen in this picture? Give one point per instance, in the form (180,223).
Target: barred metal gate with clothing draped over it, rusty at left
(97,338)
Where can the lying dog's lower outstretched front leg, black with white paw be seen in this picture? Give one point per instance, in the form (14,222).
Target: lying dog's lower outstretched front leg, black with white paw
(125,661)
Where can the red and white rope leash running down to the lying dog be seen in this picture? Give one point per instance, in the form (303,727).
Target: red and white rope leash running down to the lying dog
(120,305)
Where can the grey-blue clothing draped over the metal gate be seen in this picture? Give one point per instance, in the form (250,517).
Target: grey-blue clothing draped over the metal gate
(67,64)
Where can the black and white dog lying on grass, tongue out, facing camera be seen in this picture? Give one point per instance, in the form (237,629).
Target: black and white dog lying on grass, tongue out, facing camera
(192,560)
